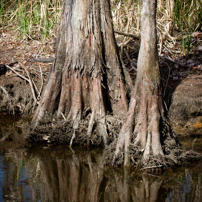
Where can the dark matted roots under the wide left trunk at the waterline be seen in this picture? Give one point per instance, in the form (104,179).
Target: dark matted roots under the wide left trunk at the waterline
(60,131)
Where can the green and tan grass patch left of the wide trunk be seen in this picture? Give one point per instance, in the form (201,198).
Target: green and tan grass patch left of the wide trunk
(36,19)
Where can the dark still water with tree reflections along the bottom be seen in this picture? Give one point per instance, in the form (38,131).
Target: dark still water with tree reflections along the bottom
(60,174)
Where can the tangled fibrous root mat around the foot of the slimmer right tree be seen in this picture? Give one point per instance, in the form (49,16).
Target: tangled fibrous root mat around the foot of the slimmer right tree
(174,155)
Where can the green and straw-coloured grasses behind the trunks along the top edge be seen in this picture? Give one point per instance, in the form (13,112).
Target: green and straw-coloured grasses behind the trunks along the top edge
(38,19)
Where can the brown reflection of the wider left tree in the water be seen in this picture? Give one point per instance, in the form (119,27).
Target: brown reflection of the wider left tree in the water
(77,178)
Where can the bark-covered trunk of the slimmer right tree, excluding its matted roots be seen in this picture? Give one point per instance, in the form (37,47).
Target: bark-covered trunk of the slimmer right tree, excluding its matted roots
(146,108)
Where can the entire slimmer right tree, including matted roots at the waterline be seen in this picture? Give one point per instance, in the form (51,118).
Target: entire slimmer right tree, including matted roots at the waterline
(146,138)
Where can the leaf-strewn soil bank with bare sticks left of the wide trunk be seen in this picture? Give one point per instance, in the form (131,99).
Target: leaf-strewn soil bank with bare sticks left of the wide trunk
(21,78)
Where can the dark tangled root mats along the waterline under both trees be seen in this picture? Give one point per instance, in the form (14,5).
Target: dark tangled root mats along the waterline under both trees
(61,132)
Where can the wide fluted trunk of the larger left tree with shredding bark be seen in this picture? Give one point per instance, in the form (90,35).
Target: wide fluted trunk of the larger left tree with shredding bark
(87,71)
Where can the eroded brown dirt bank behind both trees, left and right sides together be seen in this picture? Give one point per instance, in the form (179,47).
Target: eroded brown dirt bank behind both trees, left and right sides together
(22,80)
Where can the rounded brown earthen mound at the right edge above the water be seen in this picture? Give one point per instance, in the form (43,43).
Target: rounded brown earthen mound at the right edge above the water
(185,112)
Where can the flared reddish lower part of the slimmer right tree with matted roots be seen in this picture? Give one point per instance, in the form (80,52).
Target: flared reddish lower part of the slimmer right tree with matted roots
(146,139)
